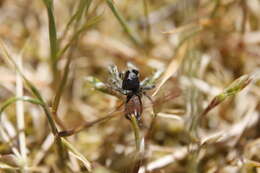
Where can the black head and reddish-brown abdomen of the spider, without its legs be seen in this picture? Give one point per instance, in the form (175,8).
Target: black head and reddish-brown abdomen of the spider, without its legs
(133,105)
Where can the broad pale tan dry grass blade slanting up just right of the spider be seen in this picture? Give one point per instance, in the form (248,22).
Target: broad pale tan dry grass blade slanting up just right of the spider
(173,67)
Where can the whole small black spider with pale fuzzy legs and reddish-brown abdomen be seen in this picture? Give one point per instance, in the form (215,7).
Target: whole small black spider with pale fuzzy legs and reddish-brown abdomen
(128,83)
